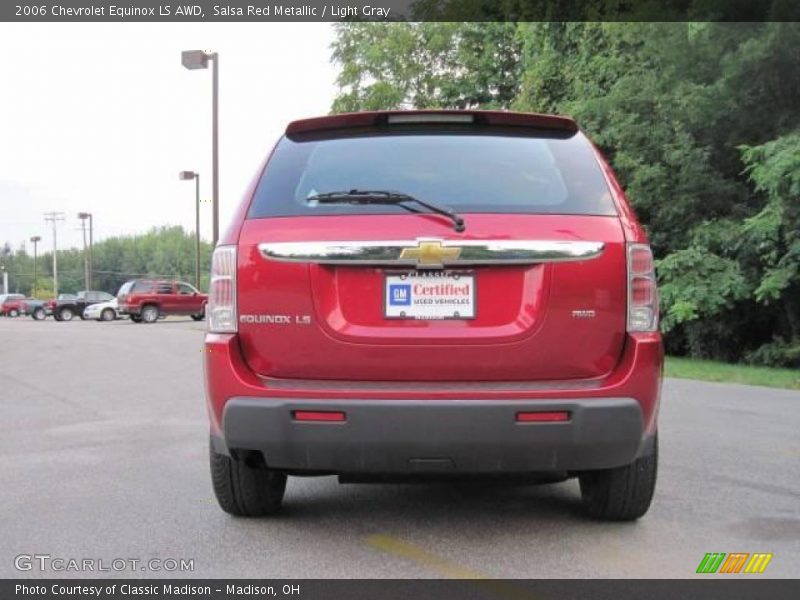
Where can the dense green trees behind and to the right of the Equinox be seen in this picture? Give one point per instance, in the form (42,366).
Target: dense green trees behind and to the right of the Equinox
(701,121)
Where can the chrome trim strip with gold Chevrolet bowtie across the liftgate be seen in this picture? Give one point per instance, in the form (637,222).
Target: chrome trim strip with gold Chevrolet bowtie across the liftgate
(431,253)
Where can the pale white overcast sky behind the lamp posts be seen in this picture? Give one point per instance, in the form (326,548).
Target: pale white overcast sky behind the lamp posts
(101,117)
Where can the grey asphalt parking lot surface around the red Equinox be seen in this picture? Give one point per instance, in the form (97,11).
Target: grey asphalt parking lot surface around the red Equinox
(104,446)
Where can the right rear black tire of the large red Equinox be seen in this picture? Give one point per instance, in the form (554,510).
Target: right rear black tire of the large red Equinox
(623,493)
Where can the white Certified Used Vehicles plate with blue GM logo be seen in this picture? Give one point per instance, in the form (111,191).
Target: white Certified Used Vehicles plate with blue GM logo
(429,295)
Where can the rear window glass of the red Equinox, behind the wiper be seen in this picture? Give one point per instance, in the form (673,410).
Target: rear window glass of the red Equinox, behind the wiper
(492,171)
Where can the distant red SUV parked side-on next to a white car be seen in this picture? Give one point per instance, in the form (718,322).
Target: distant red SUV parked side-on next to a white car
(146,300)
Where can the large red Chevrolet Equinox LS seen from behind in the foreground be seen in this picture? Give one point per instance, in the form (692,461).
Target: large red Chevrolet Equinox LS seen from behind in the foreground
(408,295)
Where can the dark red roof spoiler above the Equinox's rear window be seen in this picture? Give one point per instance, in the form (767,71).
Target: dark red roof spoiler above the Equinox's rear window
(554,123)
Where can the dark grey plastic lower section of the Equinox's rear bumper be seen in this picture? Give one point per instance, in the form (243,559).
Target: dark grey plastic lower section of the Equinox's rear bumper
(435,436)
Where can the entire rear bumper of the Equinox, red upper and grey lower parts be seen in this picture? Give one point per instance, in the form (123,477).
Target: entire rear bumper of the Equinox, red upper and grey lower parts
(404,427)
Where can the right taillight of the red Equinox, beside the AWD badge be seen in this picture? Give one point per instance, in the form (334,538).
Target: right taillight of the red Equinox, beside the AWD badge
(642,291)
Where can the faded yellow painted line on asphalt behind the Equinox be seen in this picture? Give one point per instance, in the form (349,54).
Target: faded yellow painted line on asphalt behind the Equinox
(392,545)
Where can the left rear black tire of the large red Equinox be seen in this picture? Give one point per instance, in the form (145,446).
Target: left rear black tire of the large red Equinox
(246,487)
